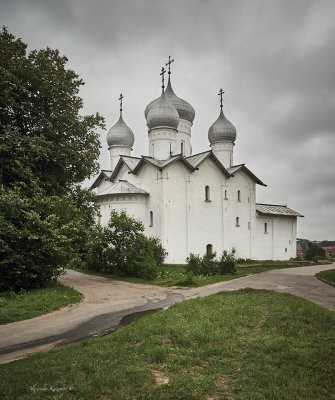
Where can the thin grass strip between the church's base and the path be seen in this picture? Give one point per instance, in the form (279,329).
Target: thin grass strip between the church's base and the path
(175,276)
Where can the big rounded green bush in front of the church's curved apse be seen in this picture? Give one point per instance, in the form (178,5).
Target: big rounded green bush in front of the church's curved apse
(121,248)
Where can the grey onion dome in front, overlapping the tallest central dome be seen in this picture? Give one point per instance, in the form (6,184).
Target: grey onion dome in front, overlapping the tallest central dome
(162,114)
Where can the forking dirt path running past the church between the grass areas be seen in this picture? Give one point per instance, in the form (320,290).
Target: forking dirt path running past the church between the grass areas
(106,302)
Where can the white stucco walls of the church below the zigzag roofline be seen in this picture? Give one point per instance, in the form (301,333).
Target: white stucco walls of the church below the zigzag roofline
(186,222)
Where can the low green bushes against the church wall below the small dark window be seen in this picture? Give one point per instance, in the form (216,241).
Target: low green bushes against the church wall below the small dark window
(210,265)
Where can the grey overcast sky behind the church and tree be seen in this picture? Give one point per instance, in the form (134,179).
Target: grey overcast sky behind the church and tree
(274,59)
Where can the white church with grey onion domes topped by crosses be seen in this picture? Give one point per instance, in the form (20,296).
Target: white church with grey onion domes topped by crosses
(192,202)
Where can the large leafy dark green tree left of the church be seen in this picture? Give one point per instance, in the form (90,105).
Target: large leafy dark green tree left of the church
(47,148)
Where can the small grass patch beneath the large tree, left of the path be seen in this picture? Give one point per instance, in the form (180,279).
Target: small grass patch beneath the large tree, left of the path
(32,303)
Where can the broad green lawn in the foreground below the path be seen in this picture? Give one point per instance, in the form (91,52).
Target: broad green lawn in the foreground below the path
(244,345)
